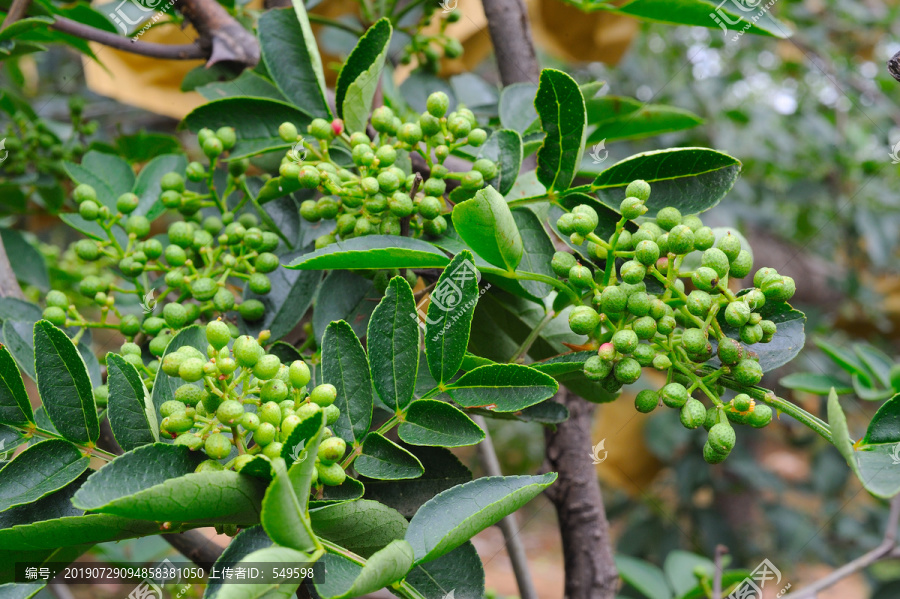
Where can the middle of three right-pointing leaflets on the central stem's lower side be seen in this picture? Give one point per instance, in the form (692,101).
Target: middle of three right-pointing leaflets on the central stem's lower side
(437,423)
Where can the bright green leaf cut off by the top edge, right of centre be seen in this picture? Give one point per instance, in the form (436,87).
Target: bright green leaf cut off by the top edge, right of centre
(704,14)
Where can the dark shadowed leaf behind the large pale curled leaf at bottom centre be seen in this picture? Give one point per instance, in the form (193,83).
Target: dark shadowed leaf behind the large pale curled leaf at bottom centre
(443,470)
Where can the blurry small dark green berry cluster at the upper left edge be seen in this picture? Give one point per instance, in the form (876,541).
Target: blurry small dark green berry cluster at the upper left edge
(30,144)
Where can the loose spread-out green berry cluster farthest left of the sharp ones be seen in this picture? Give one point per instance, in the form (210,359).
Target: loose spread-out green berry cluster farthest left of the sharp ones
(194,271)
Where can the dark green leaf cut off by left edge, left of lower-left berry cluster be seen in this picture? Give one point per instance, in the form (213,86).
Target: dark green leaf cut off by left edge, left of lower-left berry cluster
(41,469)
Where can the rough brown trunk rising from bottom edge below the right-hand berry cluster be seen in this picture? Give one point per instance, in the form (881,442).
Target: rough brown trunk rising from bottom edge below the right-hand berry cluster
(587,550)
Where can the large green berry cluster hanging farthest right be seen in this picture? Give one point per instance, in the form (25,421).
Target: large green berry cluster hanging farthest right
(661,325)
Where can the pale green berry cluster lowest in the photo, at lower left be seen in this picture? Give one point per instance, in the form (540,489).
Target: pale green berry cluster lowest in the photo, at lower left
(244,400)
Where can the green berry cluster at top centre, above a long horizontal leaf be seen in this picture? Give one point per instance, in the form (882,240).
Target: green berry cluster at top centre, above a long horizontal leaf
(381,197)
